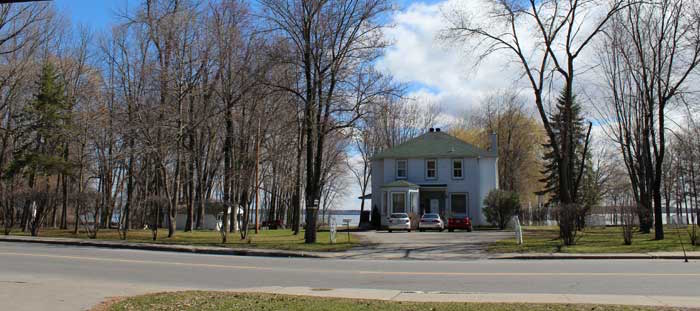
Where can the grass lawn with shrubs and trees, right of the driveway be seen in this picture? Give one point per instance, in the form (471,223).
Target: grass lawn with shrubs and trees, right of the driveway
(592,240)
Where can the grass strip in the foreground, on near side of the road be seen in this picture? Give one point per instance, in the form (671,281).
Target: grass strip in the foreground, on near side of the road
(210,301)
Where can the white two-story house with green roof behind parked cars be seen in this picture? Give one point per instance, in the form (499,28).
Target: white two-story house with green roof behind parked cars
(434,173)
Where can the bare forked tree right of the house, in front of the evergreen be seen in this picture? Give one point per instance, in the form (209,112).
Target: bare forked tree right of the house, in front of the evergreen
(547,57)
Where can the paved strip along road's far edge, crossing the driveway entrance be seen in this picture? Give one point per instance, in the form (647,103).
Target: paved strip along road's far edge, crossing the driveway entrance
(373,251)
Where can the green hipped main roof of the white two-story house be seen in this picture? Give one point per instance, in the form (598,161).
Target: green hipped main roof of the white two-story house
(434,145)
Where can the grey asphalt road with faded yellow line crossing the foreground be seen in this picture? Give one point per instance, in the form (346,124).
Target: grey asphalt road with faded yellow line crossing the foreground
(39,277)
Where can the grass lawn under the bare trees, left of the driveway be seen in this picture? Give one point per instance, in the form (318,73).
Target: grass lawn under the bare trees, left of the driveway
(269,239)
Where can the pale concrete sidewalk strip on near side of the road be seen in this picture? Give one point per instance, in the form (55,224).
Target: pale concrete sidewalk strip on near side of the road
(419,296)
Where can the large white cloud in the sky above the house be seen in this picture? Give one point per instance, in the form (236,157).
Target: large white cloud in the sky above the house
(445,74)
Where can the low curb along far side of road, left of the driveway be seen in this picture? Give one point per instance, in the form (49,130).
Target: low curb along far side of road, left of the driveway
(212,250)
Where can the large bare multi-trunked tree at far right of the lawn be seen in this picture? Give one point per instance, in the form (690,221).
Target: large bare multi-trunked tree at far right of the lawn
(649,54)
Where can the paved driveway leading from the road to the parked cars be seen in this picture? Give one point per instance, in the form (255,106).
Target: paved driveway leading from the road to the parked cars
(429,245)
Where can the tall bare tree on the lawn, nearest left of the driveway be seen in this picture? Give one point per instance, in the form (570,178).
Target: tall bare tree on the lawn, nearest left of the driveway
(333,44)
